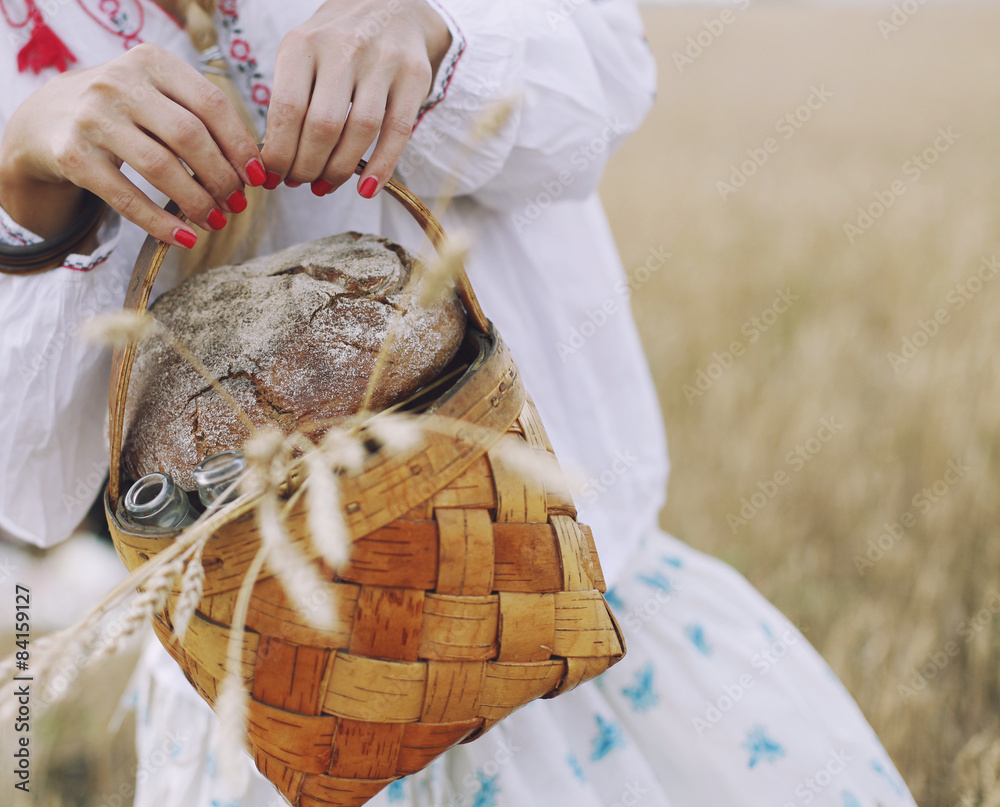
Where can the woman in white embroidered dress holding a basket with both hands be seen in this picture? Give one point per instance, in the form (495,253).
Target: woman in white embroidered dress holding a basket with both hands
(720,700)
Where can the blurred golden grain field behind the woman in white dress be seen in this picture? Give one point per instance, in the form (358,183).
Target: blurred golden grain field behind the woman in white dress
(912,634)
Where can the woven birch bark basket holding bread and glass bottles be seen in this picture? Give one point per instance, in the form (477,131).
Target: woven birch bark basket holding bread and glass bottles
(470,589)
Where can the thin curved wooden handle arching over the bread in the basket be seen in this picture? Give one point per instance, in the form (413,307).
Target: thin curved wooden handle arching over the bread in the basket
(147,265)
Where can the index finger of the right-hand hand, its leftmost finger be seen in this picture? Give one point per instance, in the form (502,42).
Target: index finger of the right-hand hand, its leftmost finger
(294,73)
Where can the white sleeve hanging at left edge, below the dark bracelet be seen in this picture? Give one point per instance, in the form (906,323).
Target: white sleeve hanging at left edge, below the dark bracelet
(53,387)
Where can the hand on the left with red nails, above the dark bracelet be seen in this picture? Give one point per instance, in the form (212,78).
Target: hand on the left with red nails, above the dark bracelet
(147,108)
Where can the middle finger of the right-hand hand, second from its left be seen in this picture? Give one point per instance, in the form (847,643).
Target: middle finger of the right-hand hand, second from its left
(322,128)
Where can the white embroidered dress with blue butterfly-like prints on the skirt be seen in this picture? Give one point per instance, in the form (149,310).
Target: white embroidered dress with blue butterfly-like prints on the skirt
(720,700)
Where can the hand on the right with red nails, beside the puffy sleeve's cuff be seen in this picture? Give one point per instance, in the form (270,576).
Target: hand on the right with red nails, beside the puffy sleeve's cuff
(357,70)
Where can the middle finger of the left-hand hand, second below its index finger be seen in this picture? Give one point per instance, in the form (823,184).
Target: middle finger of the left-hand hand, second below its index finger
(185,135)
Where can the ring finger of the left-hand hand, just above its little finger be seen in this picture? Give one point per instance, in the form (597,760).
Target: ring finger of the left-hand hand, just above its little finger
(163,170)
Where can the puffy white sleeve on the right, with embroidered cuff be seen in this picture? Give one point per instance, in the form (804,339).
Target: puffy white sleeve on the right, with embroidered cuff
(578,75)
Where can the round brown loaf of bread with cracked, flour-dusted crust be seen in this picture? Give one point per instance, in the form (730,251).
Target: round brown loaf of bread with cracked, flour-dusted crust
(293,337)
